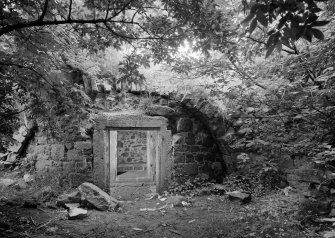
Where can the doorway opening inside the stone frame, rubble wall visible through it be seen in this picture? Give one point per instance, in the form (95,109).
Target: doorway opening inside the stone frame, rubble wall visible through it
(133,155)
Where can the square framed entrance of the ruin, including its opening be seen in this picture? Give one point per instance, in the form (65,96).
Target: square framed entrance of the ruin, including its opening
(131,150)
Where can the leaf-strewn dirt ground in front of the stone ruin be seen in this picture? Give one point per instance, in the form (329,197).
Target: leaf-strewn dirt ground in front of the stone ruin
(207,216)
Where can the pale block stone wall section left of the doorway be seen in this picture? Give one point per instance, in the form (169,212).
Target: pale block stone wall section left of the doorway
(71,162)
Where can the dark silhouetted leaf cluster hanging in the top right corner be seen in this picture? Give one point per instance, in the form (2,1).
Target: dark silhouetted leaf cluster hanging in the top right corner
(286,21)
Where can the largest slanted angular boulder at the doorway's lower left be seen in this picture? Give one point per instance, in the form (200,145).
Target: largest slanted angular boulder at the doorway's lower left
(96,198)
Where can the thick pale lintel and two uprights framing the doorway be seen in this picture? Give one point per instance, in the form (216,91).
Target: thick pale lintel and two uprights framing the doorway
(101,149)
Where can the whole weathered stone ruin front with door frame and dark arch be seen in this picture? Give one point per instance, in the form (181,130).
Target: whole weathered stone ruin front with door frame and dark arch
(190,134)
